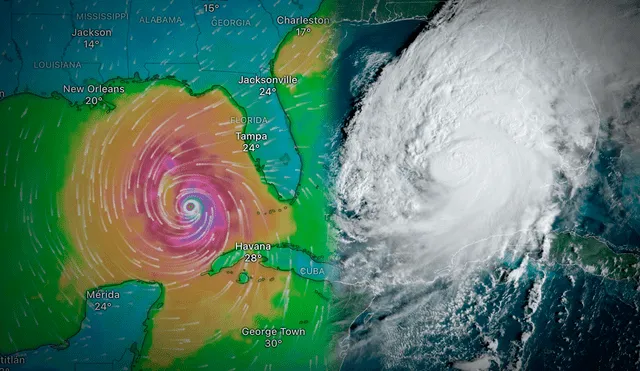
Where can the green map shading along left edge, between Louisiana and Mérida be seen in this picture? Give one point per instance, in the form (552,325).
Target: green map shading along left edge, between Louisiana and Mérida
(37,139)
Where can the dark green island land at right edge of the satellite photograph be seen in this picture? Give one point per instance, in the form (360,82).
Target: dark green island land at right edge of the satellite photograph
(594,256)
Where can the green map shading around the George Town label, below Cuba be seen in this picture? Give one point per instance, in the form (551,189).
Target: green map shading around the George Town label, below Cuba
(304,306)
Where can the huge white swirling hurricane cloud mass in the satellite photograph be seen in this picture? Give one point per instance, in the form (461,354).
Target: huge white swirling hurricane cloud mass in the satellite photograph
(462,149)
